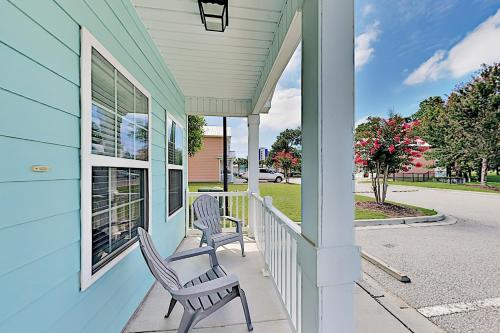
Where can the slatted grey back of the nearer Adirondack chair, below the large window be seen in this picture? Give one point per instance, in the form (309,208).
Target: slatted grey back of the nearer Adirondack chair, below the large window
(162,272)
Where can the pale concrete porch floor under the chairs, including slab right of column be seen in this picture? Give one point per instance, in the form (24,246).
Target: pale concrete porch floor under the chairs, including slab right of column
(265,306)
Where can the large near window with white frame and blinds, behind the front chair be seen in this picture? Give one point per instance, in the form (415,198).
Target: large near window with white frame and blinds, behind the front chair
(115,164)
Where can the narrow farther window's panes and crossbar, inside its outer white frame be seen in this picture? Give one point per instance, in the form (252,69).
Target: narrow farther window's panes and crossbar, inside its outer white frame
(175,138)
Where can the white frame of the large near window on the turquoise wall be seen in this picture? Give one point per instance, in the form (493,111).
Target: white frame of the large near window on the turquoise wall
(88,160)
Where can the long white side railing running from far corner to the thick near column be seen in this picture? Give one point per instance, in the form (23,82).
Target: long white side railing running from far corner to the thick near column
(277,238)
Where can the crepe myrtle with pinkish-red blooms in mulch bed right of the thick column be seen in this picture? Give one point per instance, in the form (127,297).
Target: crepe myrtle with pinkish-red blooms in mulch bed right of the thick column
(387,145)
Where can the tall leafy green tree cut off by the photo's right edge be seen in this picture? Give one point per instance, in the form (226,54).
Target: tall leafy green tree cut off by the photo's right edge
(470,125)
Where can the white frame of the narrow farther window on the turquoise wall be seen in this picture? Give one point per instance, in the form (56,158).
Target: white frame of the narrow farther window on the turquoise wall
(175,167)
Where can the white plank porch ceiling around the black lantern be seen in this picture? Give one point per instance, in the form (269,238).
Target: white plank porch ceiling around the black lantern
(222,72)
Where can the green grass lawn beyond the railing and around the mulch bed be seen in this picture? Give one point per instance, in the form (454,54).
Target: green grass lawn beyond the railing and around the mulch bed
(286,197)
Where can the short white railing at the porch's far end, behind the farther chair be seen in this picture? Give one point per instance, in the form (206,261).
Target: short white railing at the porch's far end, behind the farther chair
(234,204)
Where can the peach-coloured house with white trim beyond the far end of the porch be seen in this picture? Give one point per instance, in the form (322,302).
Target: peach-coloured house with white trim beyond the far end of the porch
(206,165)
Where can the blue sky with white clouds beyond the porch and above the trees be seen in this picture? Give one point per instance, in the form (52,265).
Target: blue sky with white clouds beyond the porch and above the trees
(405,51)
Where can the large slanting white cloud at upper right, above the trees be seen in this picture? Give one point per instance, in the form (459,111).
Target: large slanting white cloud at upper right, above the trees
(480,46)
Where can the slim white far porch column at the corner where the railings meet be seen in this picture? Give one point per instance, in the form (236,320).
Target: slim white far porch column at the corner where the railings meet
(253,165)
